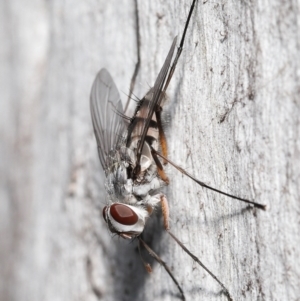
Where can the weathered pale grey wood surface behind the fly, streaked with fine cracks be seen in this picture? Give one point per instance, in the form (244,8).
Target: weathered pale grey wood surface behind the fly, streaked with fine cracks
(234,122)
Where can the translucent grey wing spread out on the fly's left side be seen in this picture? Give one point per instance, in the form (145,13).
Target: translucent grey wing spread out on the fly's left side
(106,110)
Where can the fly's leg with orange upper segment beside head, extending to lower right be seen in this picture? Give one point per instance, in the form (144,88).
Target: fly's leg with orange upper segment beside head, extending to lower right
(165,211)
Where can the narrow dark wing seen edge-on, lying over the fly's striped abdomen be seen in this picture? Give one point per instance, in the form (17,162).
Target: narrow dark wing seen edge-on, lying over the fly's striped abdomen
(156,98)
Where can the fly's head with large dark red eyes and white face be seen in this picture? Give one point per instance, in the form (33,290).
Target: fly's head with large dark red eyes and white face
(125,220)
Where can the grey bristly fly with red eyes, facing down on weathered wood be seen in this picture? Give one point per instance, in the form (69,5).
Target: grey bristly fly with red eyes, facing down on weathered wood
(132,152)
